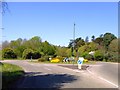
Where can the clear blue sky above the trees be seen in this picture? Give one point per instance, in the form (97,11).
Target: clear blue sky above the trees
(54,21)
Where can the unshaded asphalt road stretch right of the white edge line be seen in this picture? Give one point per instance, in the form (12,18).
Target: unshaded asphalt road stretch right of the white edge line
(107,71)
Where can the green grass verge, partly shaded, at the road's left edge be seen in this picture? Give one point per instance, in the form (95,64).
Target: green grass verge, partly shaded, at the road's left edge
(10,73)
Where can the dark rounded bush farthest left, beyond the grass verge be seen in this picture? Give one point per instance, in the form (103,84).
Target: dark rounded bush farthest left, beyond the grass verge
(8,53)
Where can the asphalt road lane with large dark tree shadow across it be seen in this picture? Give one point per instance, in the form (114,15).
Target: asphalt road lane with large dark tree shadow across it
(54,76)
